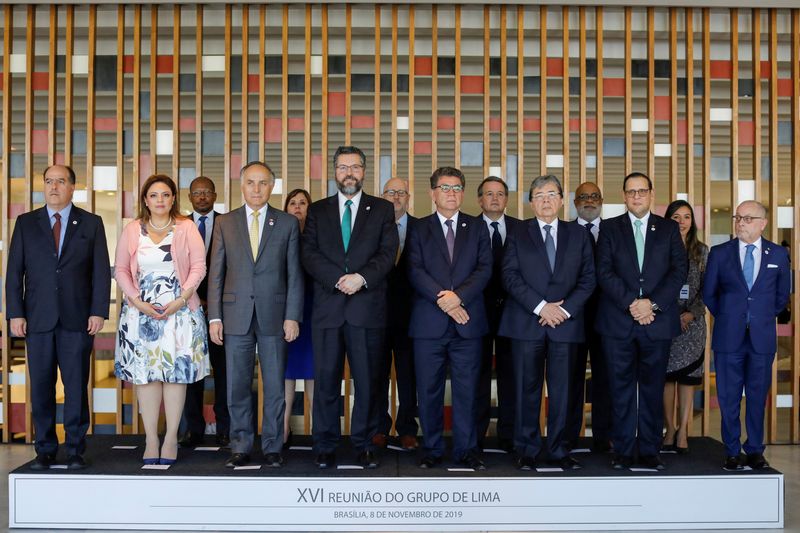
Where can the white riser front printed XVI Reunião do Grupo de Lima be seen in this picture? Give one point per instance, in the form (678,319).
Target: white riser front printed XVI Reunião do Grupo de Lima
(391,504)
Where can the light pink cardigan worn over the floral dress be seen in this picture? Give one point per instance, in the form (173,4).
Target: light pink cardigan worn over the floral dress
(188,253)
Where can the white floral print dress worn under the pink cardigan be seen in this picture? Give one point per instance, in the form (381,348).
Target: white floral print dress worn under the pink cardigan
(174,350)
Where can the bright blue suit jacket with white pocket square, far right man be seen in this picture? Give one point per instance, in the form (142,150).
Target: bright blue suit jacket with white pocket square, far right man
(727,297)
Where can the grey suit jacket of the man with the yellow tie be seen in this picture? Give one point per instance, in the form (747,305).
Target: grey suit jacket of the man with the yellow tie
(271,286)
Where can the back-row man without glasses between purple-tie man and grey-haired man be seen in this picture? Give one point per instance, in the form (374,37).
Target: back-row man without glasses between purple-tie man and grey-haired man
(493,198)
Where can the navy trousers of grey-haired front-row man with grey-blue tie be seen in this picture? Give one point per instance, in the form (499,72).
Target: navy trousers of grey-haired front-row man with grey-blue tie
(532,361)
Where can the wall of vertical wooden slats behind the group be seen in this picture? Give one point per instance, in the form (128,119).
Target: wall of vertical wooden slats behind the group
(400,34)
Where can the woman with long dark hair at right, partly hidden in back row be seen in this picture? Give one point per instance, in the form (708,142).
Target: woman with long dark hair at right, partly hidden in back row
(685,367)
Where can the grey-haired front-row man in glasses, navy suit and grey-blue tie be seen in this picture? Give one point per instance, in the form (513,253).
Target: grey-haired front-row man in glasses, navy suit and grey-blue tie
(548,272)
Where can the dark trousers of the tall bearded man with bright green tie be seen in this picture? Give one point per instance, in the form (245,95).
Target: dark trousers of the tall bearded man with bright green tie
(330,345)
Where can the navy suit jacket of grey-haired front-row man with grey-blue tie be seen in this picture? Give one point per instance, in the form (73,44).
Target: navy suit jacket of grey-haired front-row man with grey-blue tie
(528,280)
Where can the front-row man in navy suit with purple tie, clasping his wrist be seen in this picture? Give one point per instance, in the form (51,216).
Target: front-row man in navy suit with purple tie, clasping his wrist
(449,265)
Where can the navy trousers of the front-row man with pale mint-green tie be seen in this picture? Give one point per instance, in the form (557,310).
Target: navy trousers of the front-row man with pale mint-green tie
(637,409)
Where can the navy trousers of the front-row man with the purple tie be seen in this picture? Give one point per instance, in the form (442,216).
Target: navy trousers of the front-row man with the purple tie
(432,358)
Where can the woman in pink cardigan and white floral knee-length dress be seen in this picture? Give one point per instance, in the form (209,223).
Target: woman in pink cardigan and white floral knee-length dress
(162,343)
